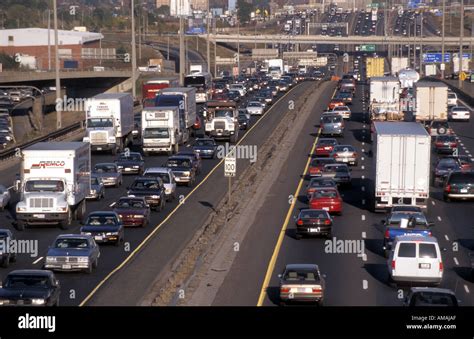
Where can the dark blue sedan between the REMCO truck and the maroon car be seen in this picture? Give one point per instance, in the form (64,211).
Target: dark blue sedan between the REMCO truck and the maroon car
(104,227)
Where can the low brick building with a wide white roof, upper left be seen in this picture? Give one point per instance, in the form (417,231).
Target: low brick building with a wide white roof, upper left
(73,46)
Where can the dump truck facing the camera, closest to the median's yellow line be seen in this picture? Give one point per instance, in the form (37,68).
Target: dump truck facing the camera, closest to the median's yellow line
(222,120)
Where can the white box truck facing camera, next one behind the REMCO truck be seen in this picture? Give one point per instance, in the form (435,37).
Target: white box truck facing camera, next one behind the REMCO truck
(109,121)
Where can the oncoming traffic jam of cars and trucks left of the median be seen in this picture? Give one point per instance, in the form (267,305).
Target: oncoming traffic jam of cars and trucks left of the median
(137,164)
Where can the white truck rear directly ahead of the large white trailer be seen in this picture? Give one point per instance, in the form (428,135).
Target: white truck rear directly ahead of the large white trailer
(385,99)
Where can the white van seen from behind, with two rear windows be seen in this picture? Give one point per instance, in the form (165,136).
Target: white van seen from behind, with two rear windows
(415,259)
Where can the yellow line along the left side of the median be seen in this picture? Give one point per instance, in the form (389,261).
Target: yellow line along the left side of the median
(157,227)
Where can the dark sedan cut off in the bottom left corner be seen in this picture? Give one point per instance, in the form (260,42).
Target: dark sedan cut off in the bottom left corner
(30,288)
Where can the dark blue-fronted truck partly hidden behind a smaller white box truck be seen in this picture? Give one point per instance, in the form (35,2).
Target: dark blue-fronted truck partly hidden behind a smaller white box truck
(185,99)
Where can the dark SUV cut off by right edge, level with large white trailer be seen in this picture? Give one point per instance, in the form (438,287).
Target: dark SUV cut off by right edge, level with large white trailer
(459,185)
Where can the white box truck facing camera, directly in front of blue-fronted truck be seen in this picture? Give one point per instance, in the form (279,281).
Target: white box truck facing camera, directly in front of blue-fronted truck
(162,130)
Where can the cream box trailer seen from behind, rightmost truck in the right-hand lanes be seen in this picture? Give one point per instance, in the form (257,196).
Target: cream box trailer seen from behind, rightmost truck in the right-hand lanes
(431,101)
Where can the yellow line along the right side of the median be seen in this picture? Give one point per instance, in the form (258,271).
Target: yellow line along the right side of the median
(276,250)
